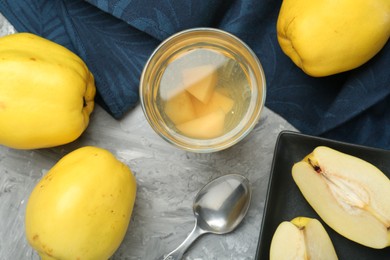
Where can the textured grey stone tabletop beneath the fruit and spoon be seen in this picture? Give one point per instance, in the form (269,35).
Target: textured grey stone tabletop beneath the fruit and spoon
(167,179)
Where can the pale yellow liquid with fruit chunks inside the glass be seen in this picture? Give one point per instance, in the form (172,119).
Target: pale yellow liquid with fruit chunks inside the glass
(228,78)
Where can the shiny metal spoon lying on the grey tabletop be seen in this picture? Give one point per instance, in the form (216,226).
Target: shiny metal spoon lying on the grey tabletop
(218,208)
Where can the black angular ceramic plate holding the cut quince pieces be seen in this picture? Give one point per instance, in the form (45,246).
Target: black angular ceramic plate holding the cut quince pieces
(284,200)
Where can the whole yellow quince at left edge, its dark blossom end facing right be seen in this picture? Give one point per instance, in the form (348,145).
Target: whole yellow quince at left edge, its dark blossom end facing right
(46,93)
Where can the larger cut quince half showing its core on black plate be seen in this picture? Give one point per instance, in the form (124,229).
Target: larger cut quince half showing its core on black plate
(349,194)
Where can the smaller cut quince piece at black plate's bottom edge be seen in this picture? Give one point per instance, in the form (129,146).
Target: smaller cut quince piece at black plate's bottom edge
(301,238)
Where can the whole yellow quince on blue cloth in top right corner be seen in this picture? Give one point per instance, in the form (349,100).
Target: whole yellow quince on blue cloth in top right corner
(325,37)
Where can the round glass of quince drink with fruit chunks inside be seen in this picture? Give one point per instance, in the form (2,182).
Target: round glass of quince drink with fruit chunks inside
(206,92)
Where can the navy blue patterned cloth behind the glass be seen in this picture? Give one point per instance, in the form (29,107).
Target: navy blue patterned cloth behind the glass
(115,39)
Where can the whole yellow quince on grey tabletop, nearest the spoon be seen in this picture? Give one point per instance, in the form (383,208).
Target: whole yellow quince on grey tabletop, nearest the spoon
(82,207)
